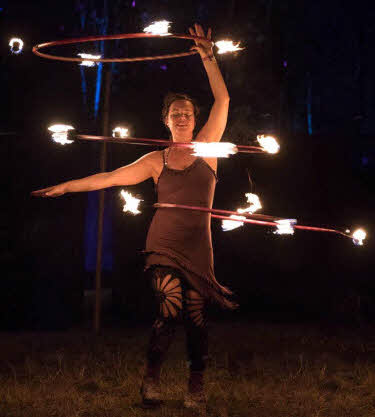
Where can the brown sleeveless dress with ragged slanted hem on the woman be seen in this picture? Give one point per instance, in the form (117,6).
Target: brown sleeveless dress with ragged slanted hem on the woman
(182,238)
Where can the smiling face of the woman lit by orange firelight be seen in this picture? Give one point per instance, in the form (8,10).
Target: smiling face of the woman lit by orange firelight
(181,120)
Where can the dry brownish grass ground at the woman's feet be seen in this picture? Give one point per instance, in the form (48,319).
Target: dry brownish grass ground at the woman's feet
(255,369)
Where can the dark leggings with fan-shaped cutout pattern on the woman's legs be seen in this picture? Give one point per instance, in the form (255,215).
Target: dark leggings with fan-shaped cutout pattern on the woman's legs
(175,299)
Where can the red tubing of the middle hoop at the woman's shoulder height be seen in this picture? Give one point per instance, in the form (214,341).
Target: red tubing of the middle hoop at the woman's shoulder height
(159,142)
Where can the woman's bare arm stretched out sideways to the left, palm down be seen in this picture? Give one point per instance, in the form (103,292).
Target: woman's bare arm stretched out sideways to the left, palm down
(131,174)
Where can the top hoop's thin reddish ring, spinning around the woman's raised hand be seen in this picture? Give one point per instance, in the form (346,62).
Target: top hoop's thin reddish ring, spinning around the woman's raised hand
(114,37)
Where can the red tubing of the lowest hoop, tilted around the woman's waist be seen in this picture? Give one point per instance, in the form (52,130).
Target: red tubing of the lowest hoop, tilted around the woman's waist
(218,214)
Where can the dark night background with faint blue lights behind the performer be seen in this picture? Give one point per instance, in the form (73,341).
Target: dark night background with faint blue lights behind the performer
(301,59)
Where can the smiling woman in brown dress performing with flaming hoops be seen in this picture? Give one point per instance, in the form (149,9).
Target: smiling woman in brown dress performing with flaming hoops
(179,257)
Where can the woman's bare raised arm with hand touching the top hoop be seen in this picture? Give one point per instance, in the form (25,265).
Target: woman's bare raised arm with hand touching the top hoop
(214,128)
